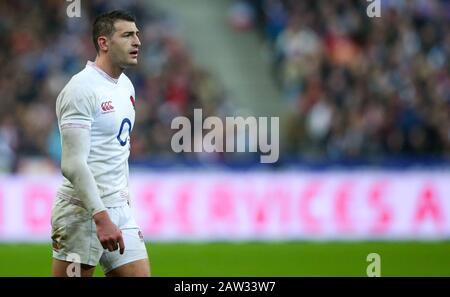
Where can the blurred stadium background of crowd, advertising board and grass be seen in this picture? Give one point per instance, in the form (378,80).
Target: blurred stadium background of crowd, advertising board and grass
(365,134)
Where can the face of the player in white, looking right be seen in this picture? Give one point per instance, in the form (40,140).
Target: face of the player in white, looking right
(123,46)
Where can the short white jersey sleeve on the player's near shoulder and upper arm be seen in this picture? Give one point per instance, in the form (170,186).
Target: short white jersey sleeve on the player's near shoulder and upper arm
(75,107)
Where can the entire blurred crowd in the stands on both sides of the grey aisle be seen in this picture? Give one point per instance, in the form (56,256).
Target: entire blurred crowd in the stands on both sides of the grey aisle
(355,86)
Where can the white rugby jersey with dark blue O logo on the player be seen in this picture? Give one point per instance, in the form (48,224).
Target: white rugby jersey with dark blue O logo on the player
(95,101)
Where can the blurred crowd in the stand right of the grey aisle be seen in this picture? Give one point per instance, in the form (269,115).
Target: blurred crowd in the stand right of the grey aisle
(360,87)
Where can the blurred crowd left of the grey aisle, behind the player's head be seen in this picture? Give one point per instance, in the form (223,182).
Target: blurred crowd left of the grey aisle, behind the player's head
(41,48)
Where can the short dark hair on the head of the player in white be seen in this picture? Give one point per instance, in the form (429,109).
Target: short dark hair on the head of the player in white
(104,24)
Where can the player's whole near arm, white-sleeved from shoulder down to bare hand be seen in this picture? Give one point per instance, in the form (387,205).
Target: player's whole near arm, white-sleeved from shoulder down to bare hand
(75,111)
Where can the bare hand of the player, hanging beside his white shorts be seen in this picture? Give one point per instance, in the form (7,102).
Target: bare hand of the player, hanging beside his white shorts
(107,232)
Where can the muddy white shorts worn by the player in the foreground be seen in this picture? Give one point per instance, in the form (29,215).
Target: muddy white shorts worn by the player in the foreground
(74,236)
